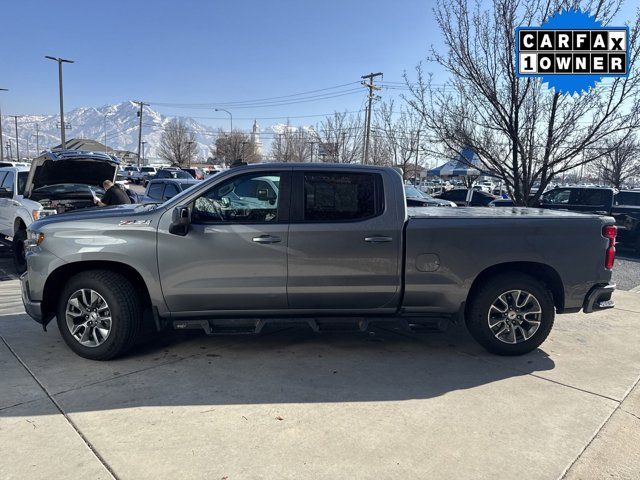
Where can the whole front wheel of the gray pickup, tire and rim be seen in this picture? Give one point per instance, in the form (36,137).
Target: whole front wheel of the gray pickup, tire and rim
(99,314)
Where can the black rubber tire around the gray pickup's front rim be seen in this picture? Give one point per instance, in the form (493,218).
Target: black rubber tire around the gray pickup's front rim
(125,312)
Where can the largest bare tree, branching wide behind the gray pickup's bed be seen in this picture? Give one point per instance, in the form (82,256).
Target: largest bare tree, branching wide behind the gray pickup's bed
(523,132)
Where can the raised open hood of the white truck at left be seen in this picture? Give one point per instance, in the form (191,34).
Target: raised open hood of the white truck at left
(79,170)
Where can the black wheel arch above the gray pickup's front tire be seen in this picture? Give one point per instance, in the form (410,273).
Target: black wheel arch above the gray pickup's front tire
(62,274)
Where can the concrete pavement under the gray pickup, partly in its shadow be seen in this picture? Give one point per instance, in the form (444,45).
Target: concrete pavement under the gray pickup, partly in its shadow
(293,404)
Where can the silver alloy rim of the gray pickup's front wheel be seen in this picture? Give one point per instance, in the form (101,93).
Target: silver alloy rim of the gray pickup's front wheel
(88,317)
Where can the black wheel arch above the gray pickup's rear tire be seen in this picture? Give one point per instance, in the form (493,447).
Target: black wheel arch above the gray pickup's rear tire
(539,271)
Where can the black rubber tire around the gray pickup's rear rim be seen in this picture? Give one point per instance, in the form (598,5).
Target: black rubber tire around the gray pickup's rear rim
(477,313)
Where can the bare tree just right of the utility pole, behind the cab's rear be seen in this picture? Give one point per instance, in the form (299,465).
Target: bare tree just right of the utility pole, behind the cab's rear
(401,131)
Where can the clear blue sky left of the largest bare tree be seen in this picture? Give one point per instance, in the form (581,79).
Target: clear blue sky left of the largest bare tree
(198,51)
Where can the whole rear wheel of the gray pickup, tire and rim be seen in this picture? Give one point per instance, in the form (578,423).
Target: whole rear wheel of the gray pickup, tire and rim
(511,314)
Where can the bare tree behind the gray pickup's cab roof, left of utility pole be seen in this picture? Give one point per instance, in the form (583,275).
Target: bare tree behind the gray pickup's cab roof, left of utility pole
(340,138)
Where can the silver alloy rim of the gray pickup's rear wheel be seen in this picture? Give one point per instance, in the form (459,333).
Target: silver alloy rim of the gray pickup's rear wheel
(515,316)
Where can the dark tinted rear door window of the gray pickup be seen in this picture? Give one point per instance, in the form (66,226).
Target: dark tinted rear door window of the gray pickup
(337,196)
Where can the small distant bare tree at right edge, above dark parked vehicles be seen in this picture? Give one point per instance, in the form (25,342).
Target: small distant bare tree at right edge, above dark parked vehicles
(621,162)
